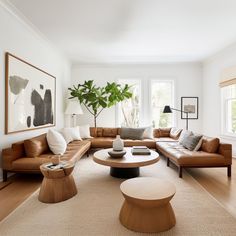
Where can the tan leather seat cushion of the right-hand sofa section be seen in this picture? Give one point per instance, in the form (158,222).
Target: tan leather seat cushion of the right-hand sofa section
(184,157)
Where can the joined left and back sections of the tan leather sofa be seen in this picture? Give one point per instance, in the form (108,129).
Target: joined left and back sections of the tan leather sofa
(28,155)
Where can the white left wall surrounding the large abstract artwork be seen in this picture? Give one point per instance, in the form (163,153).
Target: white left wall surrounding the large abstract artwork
(20,40)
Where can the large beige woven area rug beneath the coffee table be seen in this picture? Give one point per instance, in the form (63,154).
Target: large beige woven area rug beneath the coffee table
(95,209)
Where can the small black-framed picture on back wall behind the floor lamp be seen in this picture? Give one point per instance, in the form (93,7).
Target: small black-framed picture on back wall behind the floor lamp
(190,105)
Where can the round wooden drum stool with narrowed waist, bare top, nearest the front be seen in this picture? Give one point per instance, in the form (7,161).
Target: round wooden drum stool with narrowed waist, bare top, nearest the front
(147,206)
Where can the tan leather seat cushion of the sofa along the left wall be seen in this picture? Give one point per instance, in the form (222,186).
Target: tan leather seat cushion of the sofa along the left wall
(73,153)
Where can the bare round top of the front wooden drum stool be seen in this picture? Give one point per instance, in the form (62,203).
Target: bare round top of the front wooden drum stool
(148,188)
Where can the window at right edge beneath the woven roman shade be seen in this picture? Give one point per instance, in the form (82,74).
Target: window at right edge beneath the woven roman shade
(228,104)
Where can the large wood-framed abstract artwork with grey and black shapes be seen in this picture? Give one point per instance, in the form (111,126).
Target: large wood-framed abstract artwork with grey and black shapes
(30,101)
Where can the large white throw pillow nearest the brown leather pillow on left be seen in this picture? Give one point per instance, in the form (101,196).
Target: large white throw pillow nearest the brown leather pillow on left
(56,142)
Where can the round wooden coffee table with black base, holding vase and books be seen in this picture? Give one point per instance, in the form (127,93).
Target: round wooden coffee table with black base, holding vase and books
(128,165)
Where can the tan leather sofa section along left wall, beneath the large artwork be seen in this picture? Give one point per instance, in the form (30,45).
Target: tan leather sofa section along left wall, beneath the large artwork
(18,158)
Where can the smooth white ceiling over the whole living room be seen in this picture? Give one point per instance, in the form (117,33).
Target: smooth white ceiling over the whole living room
(134,31)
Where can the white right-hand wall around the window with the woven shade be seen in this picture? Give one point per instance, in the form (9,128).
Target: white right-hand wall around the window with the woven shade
(212,71)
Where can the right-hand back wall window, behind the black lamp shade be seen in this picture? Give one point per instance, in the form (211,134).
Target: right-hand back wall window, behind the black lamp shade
(161,95)
